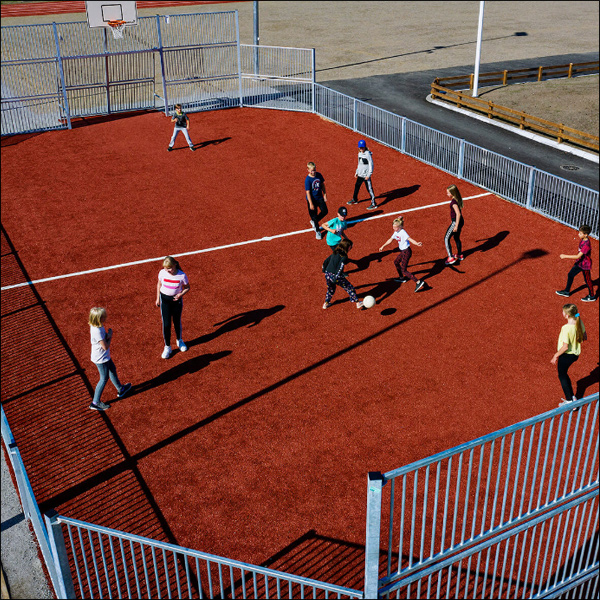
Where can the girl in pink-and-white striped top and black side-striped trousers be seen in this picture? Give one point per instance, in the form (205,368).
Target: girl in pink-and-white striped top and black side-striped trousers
(172,285)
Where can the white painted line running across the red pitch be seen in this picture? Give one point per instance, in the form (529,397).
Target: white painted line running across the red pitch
(234,245)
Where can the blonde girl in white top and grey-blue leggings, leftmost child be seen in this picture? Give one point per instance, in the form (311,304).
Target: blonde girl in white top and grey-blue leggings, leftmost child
(101,339)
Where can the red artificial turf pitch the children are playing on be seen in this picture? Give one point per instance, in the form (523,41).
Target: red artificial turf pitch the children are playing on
(263,433)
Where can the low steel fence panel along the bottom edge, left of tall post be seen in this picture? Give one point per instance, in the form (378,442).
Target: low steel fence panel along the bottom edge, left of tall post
(111,563)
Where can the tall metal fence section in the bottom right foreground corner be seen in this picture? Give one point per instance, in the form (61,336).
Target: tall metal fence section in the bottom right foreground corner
(511,514)
